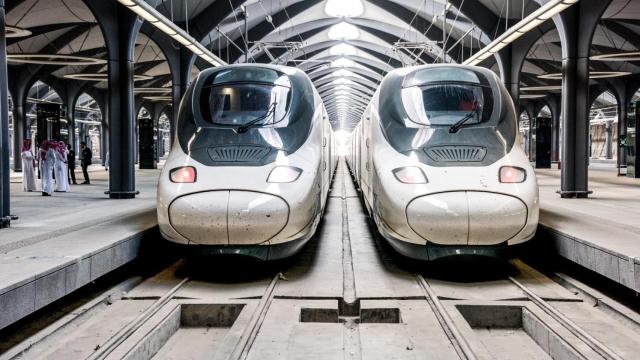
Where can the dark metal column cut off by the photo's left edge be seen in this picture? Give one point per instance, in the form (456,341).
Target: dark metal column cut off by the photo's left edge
(5,215)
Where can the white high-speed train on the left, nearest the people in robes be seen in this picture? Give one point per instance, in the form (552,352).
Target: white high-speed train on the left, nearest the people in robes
(251,165)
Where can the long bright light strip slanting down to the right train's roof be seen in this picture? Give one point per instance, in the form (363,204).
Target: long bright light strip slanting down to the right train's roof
(536,18)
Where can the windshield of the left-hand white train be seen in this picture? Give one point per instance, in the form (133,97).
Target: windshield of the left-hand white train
(260,100)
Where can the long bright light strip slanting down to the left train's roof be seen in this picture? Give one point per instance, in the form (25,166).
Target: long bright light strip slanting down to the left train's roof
(148,13)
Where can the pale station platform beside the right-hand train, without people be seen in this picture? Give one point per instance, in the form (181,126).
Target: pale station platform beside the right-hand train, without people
(601,233)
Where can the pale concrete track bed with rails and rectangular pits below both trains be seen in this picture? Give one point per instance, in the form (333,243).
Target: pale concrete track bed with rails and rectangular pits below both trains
(345,297)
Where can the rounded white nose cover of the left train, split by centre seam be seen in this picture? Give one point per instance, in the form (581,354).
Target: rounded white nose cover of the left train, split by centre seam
(228,217)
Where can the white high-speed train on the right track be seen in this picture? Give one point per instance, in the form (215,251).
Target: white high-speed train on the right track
(439,163)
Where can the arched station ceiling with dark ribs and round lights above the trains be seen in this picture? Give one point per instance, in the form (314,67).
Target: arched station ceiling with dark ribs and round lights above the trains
(345,46)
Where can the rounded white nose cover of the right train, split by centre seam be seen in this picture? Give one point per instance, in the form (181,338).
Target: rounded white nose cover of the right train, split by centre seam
(467,217)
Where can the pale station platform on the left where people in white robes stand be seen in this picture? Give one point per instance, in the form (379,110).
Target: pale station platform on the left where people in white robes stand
(65,241)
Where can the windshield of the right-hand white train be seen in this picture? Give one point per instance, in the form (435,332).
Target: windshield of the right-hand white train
(444,97)
